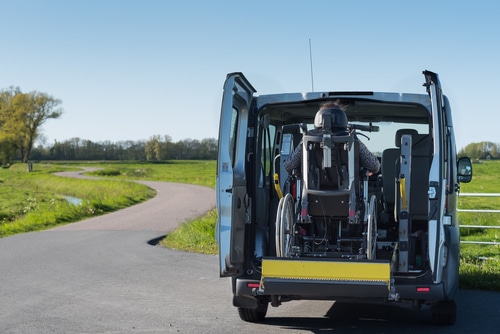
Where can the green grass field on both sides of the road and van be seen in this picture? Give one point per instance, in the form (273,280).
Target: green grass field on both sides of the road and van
(34,201)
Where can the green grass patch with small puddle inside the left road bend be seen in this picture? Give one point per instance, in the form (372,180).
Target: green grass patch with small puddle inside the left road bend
(36,201)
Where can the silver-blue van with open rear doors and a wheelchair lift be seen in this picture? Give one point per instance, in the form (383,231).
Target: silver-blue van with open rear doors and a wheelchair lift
(389,237)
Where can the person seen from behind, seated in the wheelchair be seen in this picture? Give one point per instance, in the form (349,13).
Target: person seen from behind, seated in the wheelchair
(367,159)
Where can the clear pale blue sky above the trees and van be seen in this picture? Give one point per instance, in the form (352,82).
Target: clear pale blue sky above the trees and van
(128,70)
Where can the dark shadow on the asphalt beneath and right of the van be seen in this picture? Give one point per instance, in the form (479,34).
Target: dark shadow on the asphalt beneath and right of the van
(478,312)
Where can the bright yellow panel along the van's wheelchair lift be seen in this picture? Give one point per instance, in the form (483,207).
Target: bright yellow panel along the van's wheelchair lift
(326,270)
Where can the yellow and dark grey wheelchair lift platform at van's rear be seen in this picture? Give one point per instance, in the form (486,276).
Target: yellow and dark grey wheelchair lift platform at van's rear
(329,279)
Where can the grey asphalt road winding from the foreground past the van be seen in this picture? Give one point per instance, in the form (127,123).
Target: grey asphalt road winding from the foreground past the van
(105,275)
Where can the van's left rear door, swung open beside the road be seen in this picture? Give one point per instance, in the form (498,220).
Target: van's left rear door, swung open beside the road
(233,205)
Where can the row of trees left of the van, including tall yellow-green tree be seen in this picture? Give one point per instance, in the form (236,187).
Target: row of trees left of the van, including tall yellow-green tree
(23,114)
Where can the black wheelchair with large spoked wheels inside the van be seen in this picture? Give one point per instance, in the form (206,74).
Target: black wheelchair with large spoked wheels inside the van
(330,213)
